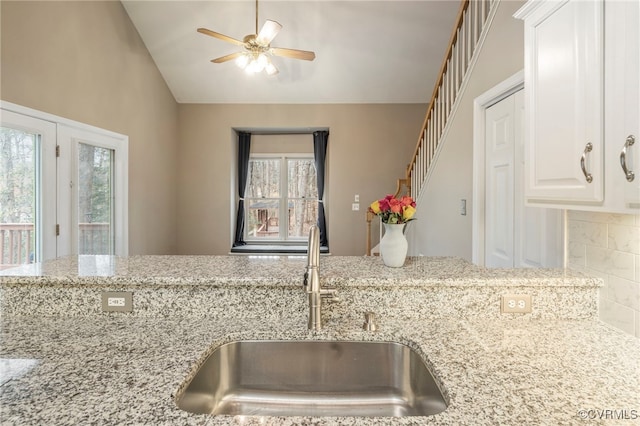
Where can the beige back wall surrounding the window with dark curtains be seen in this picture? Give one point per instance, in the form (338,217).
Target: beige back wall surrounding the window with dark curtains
(369,147)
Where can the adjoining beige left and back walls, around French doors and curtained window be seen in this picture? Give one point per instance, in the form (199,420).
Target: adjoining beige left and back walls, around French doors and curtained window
(86,62)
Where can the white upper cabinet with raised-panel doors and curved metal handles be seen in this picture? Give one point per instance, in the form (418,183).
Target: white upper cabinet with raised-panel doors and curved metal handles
(581,96)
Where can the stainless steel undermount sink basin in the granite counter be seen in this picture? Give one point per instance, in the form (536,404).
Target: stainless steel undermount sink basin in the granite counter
(313,378)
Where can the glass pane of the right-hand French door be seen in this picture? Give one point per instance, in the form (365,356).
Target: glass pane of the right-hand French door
(95,200)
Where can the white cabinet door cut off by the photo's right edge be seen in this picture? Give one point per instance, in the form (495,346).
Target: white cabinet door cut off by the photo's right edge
(623,98)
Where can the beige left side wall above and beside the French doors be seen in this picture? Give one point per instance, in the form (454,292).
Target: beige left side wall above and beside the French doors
(86,62)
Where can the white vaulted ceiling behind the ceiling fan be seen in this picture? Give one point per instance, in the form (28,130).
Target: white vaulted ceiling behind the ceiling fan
(366,51)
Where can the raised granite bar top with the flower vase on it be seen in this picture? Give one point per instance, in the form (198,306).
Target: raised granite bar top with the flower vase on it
(280,271)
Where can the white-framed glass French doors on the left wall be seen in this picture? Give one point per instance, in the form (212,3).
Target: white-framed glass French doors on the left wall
(63,188)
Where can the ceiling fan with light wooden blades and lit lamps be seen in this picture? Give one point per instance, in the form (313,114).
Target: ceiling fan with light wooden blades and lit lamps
(256,56)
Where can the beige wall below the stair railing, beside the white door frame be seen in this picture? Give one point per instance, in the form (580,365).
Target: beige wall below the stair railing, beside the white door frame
(440,229)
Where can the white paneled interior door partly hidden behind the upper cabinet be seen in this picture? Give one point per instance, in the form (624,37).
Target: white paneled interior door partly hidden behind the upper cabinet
(515,235)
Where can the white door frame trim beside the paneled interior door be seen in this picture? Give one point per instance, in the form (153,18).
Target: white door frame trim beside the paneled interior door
(480,104)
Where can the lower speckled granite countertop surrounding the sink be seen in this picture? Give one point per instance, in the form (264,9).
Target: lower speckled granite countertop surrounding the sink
(125,370)
